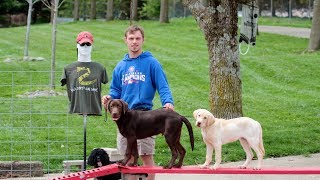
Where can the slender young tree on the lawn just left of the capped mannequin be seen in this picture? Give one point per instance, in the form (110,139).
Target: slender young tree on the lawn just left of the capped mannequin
(55,5)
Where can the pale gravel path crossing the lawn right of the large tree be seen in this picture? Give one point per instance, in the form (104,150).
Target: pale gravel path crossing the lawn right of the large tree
(290,31)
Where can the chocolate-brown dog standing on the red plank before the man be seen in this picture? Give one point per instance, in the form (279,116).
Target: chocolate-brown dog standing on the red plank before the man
(134,124)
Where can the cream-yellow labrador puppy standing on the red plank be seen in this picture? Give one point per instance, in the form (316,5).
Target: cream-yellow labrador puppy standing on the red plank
(216,132)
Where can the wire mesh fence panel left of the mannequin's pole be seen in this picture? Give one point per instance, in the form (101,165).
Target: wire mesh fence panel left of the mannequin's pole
(37,133)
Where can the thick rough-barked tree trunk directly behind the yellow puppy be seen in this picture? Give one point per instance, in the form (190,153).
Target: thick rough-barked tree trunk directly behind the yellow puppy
(219,23)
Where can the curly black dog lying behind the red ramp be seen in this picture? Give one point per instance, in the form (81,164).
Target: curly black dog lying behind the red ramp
(99,157)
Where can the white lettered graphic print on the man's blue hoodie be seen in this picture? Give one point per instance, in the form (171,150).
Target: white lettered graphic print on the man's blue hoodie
(132,76)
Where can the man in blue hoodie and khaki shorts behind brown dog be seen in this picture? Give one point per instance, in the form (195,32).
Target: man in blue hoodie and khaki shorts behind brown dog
(135,80)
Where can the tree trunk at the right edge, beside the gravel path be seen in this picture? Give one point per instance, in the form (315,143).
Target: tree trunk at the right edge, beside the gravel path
(314,40)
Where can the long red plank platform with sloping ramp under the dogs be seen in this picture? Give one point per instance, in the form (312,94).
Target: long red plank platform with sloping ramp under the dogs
(142,171)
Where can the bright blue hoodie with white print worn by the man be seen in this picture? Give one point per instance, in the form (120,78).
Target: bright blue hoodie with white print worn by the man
(135,80)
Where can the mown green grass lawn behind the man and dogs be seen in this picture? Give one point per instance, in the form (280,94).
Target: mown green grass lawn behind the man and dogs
(280,90)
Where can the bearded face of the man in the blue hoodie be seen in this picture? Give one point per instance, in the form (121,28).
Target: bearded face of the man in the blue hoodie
(134,41)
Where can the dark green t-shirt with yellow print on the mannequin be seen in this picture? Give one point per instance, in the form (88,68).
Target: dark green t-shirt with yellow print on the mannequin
(83,80)
